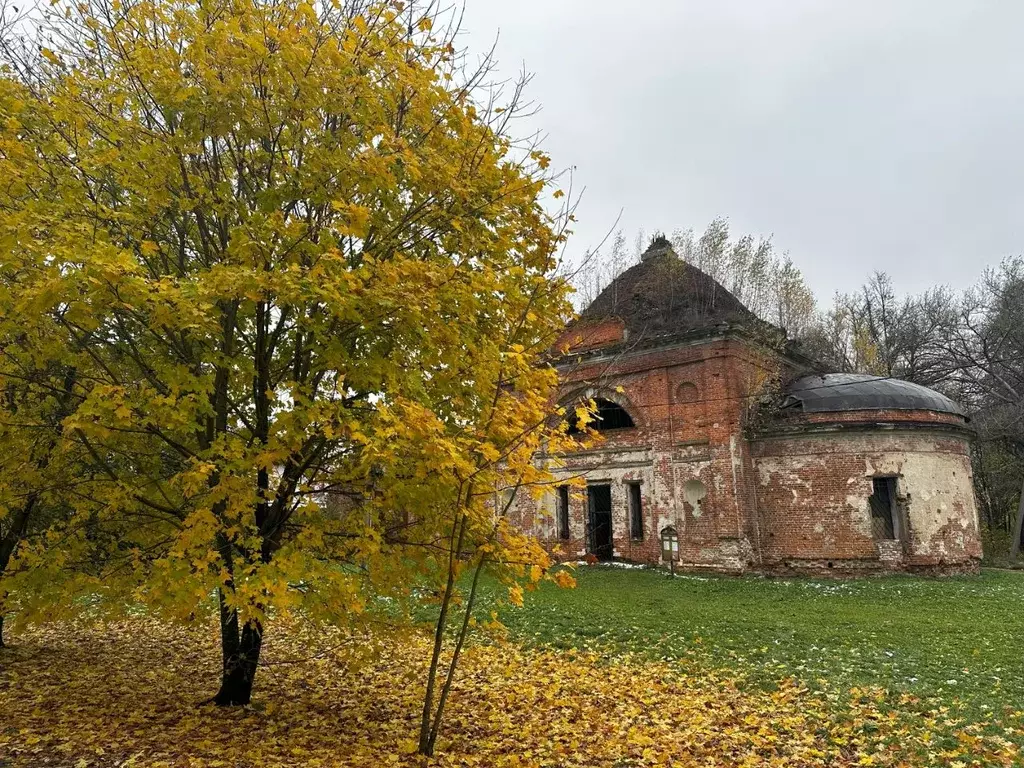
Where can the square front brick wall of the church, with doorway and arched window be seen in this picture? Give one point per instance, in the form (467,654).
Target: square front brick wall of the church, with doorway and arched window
(688,404)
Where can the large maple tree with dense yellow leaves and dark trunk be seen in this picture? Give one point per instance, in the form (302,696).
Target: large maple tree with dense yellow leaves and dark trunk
(285,240)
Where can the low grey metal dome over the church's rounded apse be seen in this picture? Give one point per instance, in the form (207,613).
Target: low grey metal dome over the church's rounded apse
(832,393)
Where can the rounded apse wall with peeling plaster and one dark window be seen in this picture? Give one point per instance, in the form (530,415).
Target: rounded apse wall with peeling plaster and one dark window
(814,494)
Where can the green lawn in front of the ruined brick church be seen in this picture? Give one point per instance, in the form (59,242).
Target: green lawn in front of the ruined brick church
(958,641)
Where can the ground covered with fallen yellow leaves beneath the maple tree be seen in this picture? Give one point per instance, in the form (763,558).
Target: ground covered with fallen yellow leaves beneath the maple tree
(126,695)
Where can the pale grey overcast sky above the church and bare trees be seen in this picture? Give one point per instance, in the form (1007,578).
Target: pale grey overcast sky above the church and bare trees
(861,136)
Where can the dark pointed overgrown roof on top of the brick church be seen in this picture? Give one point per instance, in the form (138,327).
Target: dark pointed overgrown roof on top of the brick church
(665,295)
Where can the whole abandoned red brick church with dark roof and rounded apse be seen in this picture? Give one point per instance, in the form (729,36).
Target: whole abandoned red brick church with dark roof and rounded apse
(718,437)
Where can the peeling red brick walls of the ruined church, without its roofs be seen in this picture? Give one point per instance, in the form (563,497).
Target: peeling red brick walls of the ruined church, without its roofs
(793,499)
